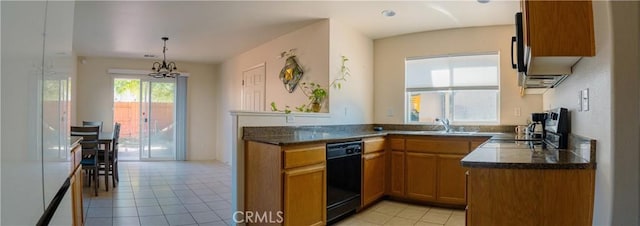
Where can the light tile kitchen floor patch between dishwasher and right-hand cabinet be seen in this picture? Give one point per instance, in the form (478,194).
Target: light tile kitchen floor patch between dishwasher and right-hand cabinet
(395,213)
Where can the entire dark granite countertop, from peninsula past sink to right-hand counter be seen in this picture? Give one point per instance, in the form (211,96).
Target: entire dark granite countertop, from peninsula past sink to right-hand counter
(503,150)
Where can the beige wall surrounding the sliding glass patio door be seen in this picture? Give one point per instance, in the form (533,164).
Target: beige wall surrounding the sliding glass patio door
(95,98)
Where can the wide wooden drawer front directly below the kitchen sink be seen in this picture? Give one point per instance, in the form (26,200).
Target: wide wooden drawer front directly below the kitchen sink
(438,146)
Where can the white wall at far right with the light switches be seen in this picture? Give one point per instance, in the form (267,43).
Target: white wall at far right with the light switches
(612,79)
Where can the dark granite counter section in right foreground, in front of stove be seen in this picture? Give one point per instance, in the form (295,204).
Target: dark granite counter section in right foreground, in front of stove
(520,155)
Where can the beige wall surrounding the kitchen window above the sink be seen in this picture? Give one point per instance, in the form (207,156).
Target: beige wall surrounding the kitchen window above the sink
(389,61)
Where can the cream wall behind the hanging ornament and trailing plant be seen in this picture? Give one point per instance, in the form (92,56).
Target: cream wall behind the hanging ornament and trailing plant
(319,48)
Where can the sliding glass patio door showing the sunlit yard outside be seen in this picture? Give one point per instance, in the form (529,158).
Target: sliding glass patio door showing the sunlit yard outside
(146,109)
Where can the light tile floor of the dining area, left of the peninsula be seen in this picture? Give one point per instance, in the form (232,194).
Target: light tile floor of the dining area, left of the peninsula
(163,193)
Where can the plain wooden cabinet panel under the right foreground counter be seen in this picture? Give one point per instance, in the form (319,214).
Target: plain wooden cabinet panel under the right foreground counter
(532,196)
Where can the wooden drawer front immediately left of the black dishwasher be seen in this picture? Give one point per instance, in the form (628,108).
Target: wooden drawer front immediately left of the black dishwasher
(304,155)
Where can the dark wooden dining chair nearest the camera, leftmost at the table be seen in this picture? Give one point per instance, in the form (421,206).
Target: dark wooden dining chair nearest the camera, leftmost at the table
(90,148)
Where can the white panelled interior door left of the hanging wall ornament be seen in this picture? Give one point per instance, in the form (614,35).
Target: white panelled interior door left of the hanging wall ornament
(253,88)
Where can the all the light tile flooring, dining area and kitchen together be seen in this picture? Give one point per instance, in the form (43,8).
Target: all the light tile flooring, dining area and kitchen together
(199,193)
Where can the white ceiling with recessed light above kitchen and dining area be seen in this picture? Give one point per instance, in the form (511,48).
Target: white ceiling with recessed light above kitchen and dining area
(212,31)
